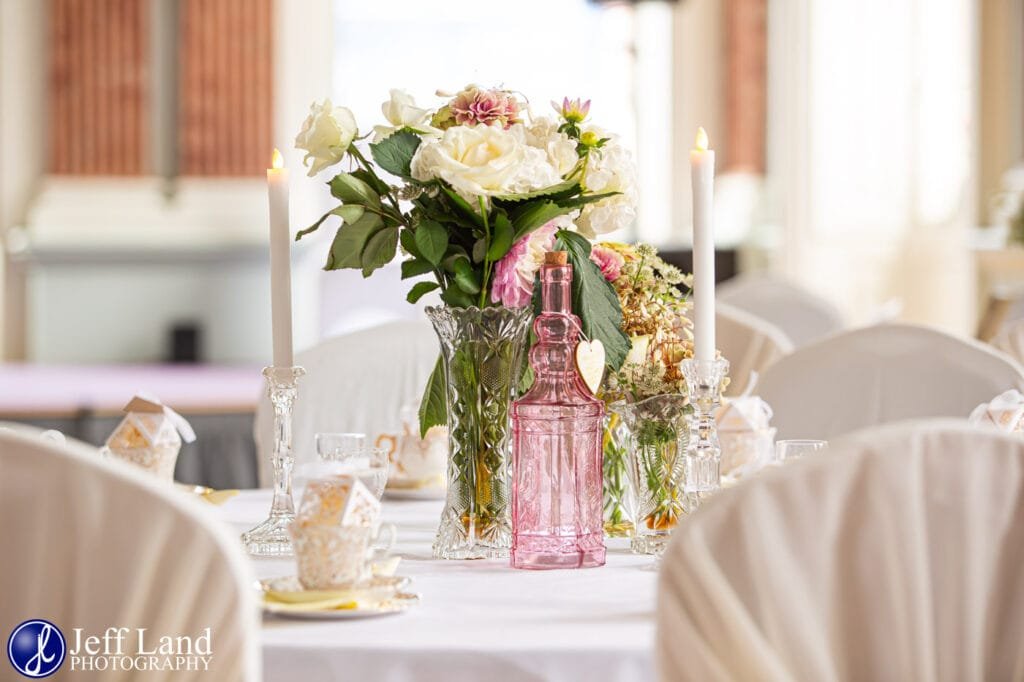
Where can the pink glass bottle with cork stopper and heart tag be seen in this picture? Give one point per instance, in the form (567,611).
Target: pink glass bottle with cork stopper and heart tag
(557,447)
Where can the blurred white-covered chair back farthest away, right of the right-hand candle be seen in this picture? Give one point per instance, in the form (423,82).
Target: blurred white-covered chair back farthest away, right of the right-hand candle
(802,316)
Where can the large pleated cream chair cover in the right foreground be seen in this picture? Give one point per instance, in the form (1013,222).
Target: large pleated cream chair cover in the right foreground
(897,557)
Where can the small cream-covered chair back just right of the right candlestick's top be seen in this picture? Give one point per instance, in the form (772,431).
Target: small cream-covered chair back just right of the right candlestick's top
(751,345)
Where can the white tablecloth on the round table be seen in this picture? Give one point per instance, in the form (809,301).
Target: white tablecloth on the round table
(478,620)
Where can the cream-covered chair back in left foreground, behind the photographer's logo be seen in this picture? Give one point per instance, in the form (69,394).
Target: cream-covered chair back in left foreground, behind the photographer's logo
(94,544)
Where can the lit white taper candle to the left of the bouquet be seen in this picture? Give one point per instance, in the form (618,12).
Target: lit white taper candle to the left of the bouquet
(281,266)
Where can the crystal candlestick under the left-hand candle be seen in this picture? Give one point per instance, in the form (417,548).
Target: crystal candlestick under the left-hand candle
(272,537)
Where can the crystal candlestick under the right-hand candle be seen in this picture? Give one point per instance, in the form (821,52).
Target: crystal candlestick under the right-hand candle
(704,453)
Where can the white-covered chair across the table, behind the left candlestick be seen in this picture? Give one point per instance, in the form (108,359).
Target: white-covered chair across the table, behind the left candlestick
(355,383)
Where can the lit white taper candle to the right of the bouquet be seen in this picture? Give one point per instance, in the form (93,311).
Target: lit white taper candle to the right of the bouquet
(703,177)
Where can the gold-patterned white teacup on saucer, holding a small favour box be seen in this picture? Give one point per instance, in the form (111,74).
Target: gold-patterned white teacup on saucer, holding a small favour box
(332,558)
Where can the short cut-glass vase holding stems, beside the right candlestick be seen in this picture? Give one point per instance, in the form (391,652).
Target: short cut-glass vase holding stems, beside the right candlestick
(656,462)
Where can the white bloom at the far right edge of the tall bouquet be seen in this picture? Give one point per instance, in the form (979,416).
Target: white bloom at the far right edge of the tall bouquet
(610,169)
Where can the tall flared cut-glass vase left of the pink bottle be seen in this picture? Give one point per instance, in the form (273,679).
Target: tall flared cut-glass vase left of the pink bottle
(483,354)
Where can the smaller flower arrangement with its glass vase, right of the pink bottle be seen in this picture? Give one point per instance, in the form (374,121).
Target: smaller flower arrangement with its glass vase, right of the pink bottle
(648,423)
